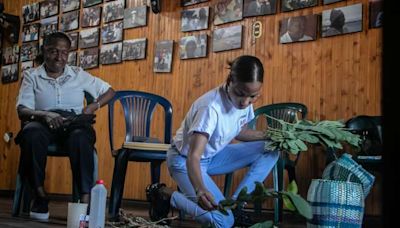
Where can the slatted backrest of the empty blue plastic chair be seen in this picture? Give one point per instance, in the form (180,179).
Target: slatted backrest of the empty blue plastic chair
(138,108)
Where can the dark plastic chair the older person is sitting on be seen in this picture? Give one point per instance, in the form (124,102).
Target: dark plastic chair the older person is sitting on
(23,191)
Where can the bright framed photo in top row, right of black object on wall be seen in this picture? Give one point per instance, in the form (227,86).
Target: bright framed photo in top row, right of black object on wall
(194,19)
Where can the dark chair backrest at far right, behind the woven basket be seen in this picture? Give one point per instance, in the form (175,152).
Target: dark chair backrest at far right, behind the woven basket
(370,130)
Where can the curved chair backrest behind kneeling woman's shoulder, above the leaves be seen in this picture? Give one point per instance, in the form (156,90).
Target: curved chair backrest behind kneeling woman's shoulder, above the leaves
(288,112)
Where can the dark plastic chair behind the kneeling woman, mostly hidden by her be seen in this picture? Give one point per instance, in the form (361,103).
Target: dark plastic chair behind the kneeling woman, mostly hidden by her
(287,112)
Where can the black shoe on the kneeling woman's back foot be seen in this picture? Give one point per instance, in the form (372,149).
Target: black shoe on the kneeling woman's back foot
(159,206)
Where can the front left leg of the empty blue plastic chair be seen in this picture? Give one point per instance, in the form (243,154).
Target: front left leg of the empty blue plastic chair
(118,182)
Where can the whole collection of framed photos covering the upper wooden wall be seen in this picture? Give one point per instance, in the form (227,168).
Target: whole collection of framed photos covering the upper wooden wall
(95,43)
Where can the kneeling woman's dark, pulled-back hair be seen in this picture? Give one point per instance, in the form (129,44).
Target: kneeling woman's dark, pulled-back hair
(246,68)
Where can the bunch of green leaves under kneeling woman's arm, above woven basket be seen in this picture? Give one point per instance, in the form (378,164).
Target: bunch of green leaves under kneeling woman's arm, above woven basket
(294,137)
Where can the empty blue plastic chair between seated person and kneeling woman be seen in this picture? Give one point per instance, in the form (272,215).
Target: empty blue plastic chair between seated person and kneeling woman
(138,108)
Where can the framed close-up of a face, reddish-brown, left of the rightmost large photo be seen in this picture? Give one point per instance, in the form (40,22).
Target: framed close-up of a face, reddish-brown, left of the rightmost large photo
(298,29)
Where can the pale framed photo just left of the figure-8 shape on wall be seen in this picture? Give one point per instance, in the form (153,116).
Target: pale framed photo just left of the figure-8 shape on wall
(227,38)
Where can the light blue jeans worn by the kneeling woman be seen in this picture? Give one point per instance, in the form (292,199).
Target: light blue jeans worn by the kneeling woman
(231,158)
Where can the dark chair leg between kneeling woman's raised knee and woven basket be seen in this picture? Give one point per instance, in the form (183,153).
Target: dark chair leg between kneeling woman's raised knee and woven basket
(278,186)
